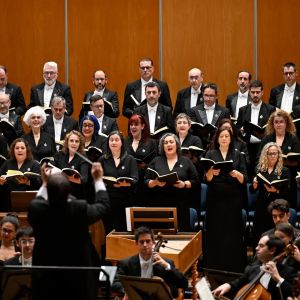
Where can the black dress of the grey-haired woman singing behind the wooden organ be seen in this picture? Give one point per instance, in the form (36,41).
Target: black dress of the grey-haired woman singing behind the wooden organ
(170,196)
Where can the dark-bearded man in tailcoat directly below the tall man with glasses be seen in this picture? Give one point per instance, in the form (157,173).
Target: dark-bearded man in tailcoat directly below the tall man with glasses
(156,114)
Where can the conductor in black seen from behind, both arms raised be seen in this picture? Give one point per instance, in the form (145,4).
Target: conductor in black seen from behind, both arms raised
(61,228)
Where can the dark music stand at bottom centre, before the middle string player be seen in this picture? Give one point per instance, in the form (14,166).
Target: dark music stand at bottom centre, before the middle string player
(138,288)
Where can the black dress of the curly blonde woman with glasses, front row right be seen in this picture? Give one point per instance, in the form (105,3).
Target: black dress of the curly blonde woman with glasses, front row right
(262,218)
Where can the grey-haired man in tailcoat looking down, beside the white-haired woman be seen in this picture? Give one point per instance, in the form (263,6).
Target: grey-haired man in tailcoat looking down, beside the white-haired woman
(58,124)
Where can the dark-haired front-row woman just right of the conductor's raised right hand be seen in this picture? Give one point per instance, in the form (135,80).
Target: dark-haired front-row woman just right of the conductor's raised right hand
(117,163)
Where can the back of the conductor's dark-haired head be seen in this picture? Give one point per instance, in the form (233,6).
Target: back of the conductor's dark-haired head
(58,188)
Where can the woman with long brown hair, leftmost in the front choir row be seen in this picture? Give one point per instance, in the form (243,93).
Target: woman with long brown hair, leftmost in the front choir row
(20,160)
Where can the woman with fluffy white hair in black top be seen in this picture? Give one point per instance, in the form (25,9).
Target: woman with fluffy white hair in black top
(41,143)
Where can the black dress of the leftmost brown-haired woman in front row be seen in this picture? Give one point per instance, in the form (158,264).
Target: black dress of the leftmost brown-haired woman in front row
(13,185)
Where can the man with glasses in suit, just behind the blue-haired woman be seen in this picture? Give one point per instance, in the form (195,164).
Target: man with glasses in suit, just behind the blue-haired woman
(107,124)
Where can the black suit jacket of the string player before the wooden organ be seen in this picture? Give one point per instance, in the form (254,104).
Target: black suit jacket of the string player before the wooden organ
(131,266)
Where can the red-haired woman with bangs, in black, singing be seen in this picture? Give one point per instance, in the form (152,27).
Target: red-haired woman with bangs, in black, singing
(142,148)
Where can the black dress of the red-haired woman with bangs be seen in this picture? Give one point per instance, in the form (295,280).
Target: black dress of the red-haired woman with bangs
(144,153)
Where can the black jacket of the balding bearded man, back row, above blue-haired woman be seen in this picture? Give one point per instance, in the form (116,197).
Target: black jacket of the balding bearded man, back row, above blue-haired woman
(110,96)
